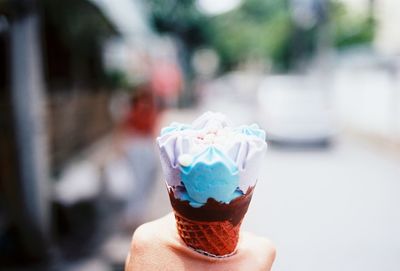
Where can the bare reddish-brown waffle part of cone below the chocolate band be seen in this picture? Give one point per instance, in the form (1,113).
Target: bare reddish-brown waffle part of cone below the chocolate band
(215,238)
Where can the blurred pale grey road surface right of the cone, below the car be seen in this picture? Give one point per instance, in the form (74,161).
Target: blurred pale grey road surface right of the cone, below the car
(330,209)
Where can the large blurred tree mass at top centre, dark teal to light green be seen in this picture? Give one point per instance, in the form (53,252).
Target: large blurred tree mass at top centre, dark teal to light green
(258,29)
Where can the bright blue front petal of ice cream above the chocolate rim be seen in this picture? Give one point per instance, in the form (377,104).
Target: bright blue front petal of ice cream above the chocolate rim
(211,174)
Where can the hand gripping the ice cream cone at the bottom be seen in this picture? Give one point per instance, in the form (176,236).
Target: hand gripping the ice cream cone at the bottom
(157,246)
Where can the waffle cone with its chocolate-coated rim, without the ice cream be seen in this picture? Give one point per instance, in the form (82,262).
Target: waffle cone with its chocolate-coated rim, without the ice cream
(212,229)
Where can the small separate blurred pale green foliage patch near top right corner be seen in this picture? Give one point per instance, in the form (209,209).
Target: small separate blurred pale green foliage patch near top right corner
(349,28)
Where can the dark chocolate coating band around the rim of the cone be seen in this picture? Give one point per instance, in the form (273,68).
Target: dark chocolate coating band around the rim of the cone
(213,210)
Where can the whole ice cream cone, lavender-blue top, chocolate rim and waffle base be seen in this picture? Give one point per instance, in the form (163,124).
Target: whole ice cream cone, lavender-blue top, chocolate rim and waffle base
(211,169)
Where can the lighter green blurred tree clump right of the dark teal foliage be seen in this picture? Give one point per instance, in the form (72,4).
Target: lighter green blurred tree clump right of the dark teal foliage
(259,29)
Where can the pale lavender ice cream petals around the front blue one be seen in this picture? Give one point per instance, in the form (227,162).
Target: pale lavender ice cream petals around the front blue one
(181,144)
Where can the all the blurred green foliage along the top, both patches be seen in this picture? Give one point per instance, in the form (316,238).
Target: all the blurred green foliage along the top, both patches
(258,29)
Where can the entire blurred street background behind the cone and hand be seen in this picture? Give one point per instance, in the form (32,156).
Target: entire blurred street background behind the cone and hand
(85,86)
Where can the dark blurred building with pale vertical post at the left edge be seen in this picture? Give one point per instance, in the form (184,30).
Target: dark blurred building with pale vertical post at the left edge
(55,103)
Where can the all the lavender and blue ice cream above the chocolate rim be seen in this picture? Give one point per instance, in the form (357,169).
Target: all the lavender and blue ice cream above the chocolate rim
(210,159)
